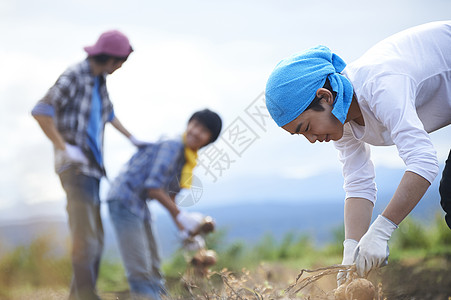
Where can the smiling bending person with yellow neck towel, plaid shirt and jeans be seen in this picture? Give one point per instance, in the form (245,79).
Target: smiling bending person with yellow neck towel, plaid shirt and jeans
(158,171)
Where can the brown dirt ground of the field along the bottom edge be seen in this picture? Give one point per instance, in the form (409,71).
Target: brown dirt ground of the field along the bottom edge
(426,279)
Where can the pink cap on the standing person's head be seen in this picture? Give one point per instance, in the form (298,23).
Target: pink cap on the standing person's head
(111,42)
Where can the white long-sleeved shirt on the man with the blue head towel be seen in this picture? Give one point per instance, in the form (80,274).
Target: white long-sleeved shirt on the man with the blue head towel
(403,87)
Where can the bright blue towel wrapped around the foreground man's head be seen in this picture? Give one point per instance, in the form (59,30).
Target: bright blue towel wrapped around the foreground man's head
(293,83)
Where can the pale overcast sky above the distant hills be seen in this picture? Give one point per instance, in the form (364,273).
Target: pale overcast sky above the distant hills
(188,55)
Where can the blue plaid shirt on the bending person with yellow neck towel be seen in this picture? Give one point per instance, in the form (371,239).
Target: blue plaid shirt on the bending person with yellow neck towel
(155,166)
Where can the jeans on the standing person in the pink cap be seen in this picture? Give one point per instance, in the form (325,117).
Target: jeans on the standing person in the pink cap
(83,208)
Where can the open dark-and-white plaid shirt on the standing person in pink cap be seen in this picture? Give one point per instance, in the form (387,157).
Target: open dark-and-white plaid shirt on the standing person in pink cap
(68,101)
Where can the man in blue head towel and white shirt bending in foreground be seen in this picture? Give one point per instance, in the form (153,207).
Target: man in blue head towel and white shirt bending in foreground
(395,94)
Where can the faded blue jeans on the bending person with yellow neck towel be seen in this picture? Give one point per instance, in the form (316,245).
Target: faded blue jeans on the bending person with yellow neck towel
(139,252)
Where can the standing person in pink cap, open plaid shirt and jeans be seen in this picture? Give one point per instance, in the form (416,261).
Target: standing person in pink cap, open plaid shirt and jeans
(73,114)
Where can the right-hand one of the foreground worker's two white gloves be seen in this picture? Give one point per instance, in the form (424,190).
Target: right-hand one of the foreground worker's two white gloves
(372,250)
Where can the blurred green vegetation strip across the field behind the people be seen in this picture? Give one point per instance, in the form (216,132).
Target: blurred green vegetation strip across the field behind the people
(35,267)
